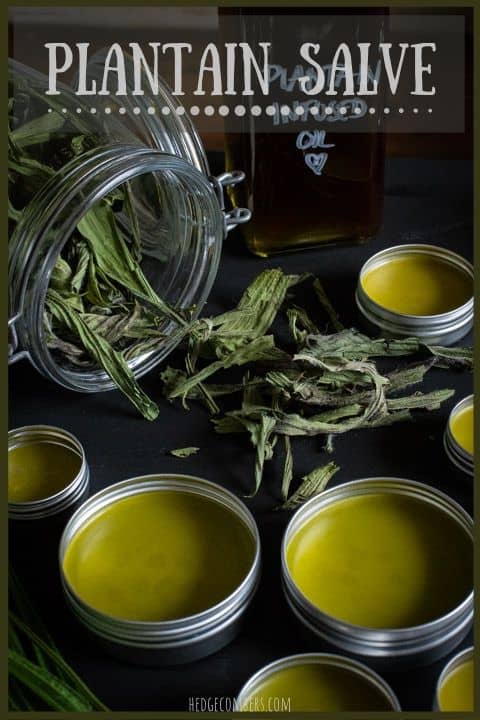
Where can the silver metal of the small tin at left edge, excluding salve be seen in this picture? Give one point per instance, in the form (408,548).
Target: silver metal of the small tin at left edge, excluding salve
(67,498)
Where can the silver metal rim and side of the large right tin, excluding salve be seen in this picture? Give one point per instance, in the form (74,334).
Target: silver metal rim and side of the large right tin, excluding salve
(388,648)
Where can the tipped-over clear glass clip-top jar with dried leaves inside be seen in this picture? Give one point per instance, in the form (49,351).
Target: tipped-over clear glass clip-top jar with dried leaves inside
(116,229)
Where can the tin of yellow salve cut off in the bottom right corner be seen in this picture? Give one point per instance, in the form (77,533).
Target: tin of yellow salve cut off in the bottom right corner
(455,687)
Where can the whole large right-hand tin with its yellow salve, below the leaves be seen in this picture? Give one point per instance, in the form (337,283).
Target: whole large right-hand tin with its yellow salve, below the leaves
(382,568)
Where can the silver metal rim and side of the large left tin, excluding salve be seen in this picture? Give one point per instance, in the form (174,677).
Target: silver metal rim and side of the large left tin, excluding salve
(174,641)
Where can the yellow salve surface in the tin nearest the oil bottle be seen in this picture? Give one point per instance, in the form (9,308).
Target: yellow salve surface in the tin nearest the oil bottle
(418,284)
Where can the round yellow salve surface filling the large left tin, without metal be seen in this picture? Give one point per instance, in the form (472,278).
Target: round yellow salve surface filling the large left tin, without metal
(158,555)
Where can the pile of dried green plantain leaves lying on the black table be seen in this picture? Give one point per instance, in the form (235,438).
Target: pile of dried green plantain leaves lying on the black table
(321,384)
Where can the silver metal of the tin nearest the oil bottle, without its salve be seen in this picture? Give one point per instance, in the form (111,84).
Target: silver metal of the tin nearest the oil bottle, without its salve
(443,329)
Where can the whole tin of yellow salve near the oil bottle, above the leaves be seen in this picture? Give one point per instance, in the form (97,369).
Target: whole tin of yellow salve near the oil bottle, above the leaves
(417,290)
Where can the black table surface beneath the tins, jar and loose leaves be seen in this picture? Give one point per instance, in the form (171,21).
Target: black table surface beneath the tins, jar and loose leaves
(425,201)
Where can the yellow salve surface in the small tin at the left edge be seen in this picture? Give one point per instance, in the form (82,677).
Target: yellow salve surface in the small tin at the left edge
(38,470)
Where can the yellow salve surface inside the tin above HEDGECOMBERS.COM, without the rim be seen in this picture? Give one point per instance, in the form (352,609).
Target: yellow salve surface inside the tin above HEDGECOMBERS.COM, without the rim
(318,687)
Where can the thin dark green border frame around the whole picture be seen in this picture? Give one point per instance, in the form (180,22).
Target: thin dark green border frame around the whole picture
(412,4)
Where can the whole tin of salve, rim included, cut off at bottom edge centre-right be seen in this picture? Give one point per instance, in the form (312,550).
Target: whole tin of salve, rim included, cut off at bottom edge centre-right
(316,682)
